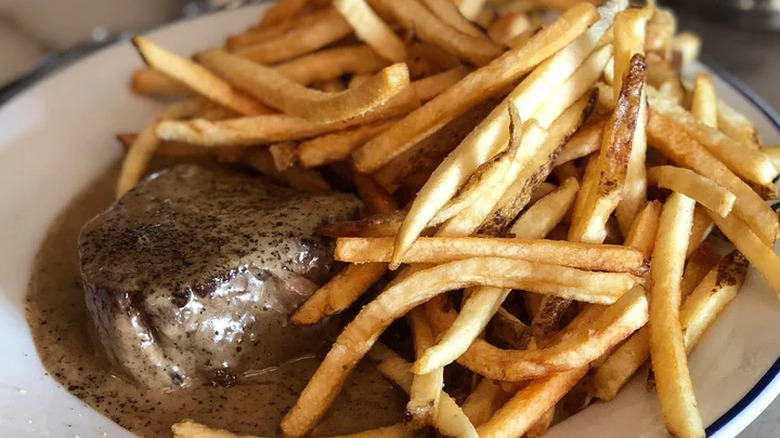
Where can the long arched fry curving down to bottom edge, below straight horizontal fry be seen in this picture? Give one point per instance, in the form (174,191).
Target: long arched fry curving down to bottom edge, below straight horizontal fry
(358,337)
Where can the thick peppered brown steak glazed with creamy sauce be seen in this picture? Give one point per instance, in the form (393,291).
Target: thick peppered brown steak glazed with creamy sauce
(190,276)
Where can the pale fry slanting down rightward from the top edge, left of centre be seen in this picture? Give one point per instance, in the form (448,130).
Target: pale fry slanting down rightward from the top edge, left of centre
(371,29)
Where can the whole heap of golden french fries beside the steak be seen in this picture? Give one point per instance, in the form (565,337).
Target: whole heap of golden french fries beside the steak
(546,158)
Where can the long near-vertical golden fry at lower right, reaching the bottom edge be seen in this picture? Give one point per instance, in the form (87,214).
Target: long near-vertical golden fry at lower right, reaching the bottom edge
(667,350)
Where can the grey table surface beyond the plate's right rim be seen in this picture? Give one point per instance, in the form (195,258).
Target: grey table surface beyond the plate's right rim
(754,58)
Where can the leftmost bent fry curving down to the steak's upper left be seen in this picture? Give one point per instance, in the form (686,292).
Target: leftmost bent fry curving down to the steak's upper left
(146,143)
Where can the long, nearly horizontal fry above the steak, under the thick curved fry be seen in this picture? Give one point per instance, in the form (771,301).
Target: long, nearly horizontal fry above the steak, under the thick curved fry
(274,128)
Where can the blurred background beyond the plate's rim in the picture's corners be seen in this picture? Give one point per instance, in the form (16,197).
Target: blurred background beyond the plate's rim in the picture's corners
(741,37)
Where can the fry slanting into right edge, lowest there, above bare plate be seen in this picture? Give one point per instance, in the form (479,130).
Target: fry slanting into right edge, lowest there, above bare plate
(761,256)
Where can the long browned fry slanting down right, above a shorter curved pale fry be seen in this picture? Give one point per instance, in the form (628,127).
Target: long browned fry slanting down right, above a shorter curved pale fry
(665,135)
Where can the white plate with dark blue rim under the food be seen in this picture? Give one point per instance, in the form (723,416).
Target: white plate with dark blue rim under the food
(59,135)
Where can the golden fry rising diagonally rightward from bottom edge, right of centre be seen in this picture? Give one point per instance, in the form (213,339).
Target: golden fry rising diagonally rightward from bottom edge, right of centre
(529,404)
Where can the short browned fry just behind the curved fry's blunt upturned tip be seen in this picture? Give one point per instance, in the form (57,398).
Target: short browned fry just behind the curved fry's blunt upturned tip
(332,64)
